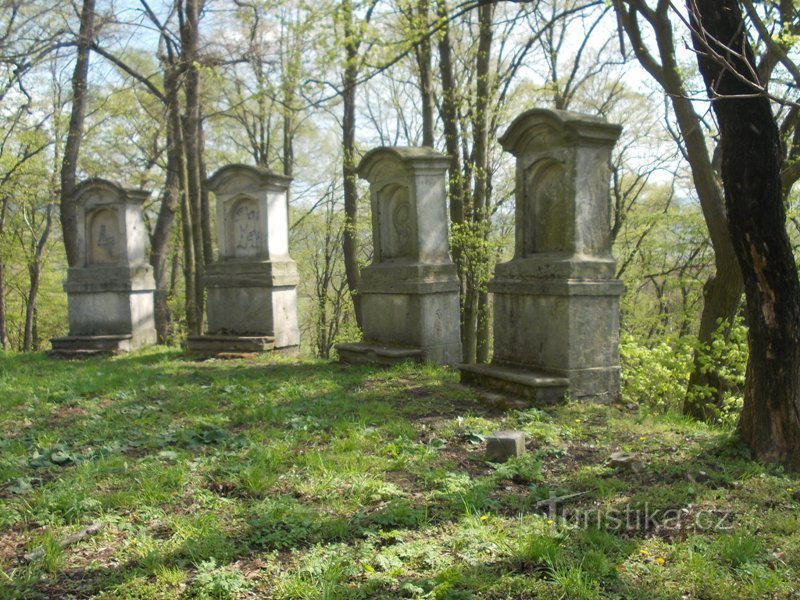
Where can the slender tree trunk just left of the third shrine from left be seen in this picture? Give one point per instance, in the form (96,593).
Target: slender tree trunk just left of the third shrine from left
(350,240)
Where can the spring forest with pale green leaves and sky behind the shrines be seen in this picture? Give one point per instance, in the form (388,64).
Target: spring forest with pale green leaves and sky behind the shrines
(159,95)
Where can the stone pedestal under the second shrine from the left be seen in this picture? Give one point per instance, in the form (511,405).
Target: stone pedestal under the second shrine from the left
(252,300)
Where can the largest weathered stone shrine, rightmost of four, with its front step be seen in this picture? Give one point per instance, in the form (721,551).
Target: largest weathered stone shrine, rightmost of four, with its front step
(556,303)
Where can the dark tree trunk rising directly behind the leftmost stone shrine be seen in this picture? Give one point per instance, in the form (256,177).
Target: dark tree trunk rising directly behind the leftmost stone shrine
(69,164)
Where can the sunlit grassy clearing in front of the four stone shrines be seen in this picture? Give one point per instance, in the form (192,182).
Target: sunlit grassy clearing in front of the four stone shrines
(281,478)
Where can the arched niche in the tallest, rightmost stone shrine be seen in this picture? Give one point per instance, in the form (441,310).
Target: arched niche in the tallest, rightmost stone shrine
(546,214)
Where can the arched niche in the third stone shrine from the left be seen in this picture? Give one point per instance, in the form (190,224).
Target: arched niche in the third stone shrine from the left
(396,222)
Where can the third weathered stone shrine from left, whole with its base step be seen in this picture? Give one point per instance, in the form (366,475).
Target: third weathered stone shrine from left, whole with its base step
(409,293)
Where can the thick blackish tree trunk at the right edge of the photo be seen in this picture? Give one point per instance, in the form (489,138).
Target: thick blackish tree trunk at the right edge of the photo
(751,163)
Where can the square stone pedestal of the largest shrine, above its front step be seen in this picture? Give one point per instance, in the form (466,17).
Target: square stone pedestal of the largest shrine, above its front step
(566,327)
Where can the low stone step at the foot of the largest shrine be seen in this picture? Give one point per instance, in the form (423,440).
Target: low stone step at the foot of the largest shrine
(535,387)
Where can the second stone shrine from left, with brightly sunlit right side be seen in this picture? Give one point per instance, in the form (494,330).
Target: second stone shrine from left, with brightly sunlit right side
(251,303)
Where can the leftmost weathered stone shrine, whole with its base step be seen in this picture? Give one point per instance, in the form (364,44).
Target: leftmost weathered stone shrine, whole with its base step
(110,290)
